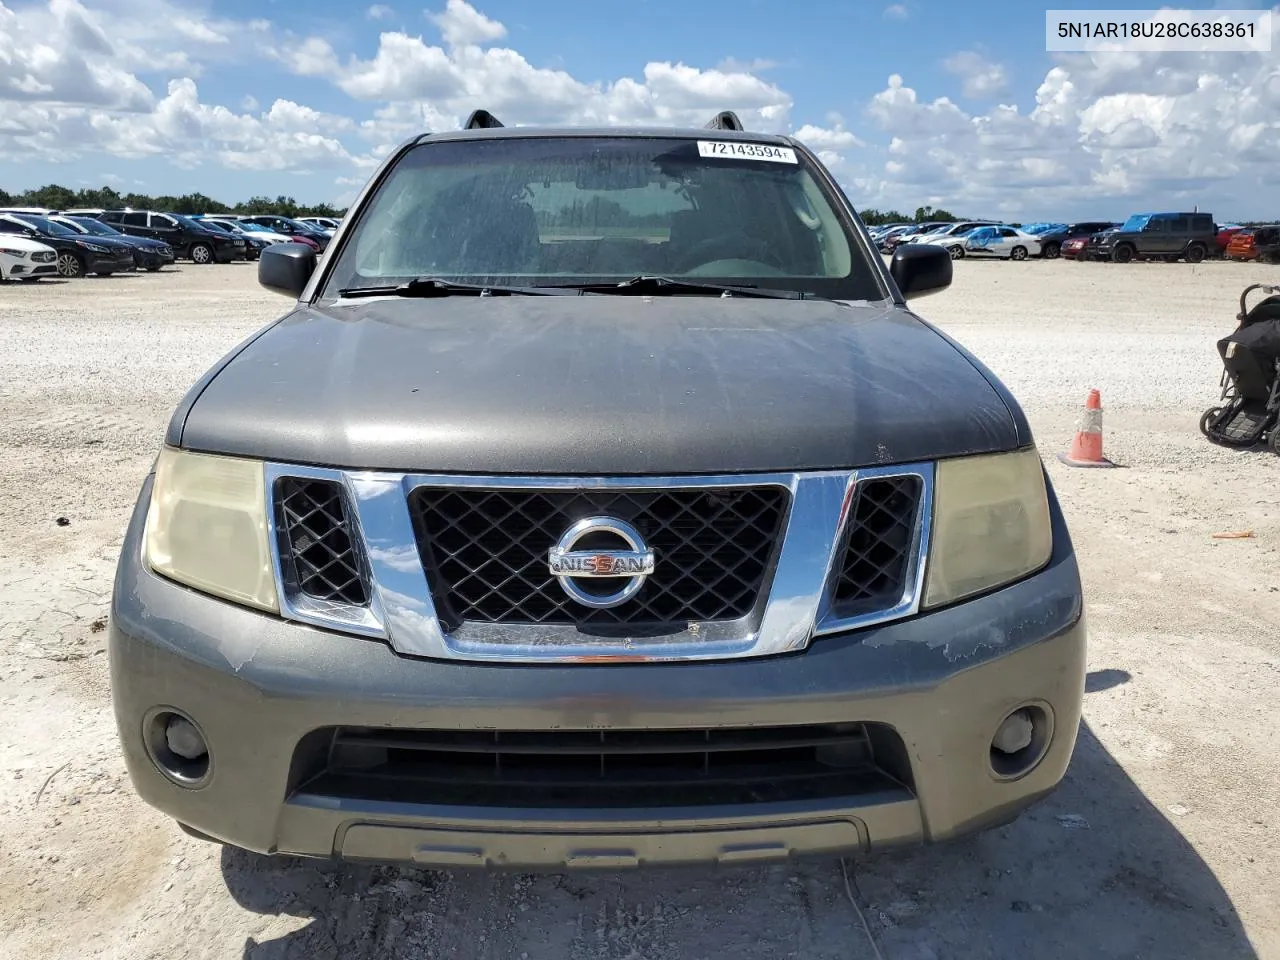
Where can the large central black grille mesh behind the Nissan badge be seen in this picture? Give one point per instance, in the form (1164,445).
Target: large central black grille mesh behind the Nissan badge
(486,552)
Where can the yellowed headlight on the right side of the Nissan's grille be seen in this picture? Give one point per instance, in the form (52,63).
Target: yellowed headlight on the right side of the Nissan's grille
(991,524)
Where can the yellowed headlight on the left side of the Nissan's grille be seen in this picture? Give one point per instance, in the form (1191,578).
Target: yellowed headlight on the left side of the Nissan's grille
(207,527)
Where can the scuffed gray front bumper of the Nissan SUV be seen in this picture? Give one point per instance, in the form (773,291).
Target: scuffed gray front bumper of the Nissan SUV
(258,687)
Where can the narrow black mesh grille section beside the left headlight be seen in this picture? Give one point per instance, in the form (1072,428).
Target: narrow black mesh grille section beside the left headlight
(318,541)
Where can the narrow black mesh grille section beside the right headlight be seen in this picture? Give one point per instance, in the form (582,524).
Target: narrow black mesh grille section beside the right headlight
(879,546)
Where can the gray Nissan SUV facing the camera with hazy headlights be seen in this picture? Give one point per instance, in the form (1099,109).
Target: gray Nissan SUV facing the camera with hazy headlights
(600,501)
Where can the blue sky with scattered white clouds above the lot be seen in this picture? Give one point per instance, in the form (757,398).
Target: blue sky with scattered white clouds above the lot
(911,103)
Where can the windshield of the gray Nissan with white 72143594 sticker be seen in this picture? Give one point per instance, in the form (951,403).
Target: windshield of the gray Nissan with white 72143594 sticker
(575,211)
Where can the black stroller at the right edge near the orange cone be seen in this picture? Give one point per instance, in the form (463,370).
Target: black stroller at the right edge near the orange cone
(1251,377)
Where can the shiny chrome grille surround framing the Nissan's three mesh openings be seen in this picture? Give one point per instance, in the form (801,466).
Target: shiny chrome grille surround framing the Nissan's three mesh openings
(793,610)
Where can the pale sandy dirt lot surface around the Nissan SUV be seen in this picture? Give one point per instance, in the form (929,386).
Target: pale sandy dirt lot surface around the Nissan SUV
(1160,844)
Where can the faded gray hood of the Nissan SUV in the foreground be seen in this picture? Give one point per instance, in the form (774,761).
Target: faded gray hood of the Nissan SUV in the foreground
(597,386)
